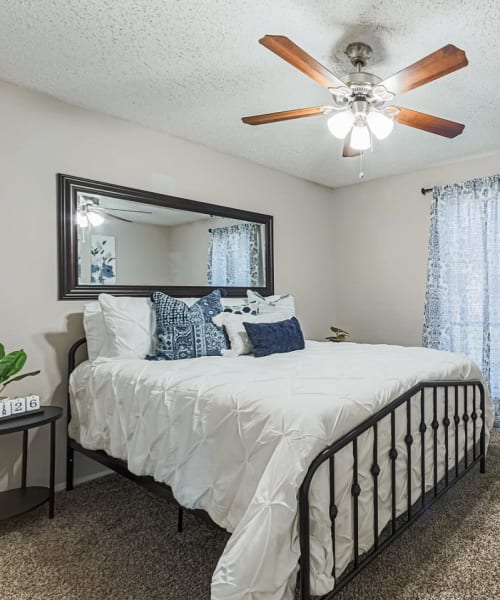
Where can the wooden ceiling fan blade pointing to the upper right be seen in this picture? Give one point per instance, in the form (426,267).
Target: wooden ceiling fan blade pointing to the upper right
(438,64)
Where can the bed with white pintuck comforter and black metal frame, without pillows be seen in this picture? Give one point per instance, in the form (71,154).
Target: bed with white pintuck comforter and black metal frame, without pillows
(312,460)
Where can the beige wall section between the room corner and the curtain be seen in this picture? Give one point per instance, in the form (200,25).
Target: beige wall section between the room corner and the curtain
(380,235)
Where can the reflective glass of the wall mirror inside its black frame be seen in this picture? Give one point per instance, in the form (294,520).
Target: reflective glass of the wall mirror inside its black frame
(122,242)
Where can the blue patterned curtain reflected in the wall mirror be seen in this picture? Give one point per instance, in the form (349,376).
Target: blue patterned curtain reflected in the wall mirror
(235,256)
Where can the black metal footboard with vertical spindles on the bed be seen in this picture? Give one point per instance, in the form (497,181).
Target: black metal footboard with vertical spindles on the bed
(462,401)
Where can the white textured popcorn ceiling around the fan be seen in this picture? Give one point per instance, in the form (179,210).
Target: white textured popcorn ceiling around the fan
(193,68)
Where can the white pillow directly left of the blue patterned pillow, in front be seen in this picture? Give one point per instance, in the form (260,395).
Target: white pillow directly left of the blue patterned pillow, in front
(130,326)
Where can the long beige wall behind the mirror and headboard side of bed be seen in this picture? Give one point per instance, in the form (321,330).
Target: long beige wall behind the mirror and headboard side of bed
(41,137)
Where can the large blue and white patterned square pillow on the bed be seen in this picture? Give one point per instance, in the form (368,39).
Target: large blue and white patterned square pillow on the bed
(187,332)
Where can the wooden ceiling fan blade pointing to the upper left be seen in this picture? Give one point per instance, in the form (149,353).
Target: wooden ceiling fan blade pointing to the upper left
(287,50)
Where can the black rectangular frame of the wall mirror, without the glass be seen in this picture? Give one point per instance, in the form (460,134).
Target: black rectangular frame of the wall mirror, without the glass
(69,289)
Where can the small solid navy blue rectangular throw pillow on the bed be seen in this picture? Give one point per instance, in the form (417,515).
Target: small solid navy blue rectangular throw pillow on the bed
(272,338)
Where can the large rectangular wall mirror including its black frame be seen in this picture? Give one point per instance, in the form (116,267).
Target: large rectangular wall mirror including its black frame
(131,242)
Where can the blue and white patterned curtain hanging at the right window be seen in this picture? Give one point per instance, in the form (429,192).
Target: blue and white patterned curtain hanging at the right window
(462,311)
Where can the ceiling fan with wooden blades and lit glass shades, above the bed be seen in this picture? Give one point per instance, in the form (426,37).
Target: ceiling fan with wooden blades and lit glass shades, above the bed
(360,99)
